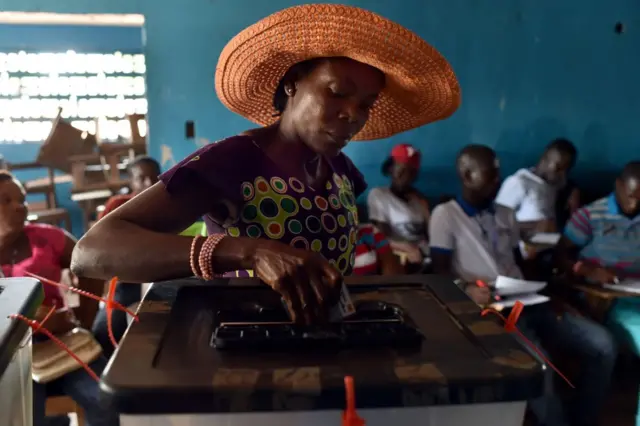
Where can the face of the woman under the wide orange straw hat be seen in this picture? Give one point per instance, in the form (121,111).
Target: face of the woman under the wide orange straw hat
(328,106)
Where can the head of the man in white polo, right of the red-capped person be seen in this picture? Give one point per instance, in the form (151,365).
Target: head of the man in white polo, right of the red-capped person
(479,172)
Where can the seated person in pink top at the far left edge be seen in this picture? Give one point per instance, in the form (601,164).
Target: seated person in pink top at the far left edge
(46,250)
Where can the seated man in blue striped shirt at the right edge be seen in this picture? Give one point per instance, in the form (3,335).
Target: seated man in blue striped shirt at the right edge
(605,236)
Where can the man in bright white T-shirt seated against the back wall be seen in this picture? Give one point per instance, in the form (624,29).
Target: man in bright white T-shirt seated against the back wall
(532,193)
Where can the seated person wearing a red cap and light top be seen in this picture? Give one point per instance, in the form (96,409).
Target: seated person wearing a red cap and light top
(400,211)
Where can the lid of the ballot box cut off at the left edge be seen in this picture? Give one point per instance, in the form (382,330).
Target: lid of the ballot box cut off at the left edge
(17,296)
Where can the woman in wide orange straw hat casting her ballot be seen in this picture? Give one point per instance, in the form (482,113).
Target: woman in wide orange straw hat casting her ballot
(279,200)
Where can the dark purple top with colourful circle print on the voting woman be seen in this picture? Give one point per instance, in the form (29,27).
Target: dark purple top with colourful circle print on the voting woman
(252,197)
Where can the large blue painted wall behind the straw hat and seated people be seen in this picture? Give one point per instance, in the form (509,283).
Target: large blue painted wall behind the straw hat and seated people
(529,70)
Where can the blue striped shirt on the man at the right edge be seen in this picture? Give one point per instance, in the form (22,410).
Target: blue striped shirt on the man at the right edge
(606,236)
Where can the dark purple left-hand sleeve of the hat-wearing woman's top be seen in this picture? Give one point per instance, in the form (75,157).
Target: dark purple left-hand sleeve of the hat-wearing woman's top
(212,170)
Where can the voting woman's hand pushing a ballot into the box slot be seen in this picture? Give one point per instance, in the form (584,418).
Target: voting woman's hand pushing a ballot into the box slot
(309,284)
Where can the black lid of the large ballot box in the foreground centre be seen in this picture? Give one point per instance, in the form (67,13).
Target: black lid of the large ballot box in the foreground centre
(167,364)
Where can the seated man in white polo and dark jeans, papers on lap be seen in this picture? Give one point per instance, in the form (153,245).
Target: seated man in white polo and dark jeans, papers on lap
(473,238)
